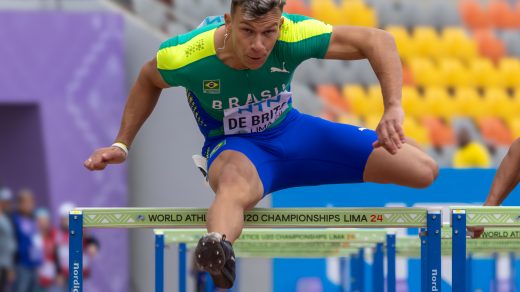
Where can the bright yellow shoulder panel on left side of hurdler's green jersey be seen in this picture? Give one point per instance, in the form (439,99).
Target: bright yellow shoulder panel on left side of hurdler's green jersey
(175,57)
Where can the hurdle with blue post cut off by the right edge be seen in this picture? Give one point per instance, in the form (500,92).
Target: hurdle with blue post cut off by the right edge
(462,217)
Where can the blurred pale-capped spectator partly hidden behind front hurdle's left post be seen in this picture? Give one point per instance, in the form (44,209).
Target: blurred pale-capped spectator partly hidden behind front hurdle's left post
(90,247)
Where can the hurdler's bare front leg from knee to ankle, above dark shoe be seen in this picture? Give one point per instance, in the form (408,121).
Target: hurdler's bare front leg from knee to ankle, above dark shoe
(238,188)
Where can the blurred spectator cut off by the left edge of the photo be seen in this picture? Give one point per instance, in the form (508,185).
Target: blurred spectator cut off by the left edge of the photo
(7,241)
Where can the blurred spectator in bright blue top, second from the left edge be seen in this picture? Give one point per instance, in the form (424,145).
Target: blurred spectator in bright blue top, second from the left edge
(29,253)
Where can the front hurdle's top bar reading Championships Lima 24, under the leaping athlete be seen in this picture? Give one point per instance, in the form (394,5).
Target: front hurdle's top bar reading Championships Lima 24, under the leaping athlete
(279,217)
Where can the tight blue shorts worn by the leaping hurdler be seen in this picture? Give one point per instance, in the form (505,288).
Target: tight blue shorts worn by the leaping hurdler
(302,151)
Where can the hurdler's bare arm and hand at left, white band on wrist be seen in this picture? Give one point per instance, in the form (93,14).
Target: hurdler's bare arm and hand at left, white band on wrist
(140,103)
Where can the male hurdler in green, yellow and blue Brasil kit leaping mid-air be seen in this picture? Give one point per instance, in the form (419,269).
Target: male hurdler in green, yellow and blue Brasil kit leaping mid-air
(237,75)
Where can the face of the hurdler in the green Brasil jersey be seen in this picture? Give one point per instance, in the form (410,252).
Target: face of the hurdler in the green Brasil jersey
(253,40)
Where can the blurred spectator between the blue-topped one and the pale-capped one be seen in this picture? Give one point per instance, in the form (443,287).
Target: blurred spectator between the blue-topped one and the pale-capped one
(48,271)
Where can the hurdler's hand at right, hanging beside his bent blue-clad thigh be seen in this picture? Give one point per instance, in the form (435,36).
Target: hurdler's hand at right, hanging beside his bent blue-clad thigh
(390,134)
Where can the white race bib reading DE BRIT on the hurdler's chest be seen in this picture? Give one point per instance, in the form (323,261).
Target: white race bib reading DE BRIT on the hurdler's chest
(255,117)
